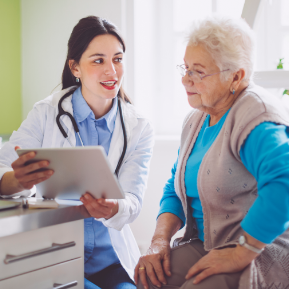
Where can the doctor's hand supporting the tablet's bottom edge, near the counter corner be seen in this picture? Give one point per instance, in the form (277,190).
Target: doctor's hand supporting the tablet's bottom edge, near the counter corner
(99,208)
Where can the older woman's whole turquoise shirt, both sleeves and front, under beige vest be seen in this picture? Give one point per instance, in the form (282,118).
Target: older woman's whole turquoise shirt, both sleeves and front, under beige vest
(265,154)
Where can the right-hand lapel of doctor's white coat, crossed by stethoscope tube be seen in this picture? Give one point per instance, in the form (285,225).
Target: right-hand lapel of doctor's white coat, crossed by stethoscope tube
(117,140)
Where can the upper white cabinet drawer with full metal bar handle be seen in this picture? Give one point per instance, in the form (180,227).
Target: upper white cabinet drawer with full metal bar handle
(40,248)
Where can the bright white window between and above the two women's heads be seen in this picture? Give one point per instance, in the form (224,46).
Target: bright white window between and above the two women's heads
(160,29)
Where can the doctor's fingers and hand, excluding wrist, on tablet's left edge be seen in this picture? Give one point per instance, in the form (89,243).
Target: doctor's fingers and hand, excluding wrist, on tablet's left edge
(27,175)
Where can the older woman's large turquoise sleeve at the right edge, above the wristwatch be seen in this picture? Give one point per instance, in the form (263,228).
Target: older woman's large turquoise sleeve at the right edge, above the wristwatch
(265,154)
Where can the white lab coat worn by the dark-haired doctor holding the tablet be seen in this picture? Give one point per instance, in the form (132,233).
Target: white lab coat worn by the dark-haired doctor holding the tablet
(40,130)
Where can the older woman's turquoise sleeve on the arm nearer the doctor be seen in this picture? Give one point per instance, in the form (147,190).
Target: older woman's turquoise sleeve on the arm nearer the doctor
(170,202)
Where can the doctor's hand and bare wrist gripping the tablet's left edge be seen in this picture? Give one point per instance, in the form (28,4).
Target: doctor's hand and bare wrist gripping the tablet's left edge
(23,176)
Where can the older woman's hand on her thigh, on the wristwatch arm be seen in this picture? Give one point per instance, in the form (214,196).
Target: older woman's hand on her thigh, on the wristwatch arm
(228,260)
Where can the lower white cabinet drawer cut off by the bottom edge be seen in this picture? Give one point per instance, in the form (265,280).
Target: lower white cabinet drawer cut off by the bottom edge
(69,273)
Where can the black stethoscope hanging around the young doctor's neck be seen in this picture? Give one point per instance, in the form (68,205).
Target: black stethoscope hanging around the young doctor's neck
(61,112)
